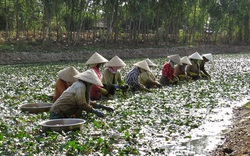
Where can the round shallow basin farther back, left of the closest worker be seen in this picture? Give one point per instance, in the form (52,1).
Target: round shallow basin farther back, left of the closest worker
(36,107)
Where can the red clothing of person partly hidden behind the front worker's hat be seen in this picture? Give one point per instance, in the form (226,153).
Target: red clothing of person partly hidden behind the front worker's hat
(95,90)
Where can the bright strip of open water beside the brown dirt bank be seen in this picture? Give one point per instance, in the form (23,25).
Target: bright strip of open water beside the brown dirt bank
(210,133)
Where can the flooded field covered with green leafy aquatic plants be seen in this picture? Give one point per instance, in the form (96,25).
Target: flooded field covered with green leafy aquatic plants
(142,123)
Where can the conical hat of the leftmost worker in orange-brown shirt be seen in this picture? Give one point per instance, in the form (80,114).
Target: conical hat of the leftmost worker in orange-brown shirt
(67,74)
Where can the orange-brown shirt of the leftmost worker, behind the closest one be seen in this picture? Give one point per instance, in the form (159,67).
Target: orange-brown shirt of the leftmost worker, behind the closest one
(60,87)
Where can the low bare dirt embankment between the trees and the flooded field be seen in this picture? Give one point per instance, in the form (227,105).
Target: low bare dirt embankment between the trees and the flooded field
(32,57)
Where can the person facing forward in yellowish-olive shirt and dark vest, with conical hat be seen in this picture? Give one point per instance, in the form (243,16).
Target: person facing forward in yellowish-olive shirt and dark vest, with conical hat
(112,79)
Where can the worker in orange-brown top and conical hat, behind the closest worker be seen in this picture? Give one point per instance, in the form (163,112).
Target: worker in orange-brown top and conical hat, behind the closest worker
(65,79)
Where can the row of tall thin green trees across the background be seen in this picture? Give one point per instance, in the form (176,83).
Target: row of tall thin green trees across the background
(125,21)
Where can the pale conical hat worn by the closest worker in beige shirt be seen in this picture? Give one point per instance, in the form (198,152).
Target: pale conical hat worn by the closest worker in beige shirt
(90,77)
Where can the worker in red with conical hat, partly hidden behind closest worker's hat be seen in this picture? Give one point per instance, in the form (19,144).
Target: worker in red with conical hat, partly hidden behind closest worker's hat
(95,62)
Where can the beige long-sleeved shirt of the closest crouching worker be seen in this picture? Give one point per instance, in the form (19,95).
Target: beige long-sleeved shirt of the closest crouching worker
(75,98)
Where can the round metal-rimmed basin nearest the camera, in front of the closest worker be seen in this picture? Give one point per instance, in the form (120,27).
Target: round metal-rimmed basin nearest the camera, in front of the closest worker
(65,124)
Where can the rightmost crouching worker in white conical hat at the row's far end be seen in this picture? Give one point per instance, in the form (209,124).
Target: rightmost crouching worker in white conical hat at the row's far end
(206,58)
